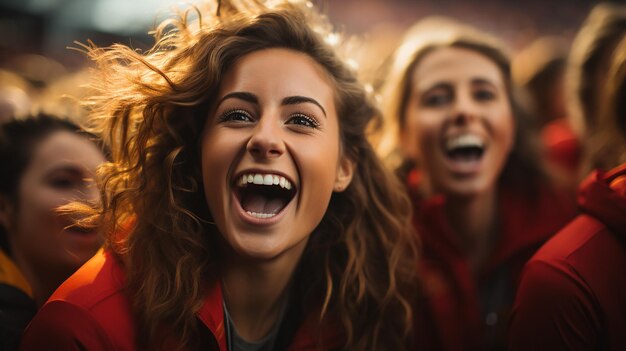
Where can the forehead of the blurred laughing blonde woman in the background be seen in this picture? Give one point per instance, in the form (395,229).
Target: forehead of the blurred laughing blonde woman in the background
(453,64)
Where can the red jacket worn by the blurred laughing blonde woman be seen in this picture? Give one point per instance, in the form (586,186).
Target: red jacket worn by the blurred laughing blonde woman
(461,311)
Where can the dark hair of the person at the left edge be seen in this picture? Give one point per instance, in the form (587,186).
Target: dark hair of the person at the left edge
(19,138)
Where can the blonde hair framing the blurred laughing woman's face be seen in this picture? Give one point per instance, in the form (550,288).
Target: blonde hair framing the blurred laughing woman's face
(523,168)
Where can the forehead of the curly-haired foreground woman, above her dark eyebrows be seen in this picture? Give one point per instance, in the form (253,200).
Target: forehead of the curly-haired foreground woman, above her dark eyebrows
(279,71)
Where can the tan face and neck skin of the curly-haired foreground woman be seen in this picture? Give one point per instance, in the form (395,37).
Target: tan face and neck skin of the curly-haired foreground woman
(276,120)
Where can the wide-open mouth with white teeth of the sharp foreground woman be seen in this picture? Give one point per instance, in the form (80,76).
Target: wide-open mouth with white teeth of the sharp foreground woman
(264,195)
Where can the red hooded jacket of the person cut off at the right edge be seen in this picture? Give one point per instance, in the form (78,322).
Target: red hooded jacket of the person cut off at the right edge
(572,294)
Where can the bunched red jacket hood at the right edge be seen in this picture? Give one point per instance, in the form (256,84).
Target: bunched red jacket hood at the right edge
(603,195)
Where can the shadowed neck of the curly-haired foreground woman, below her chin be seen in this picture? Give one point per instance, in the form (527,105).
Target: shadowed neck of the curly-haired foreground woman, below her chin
(254,290)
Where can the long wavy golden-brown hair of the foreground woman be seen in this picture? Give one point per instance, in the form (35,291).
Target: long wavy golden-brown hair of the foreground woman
(151,108)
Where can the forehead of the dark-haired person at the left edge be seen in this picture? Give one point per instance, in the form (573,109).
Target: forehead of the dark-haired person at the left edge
(63,147)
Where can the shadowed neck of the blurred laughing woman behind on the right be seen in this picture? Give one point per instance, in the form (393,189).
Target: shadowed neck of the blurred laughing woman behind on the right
(475,221)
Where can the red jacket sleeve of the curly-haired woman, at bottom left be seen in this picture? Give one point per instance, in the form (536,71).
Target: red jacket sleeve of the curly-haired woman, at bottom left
(63,326)
